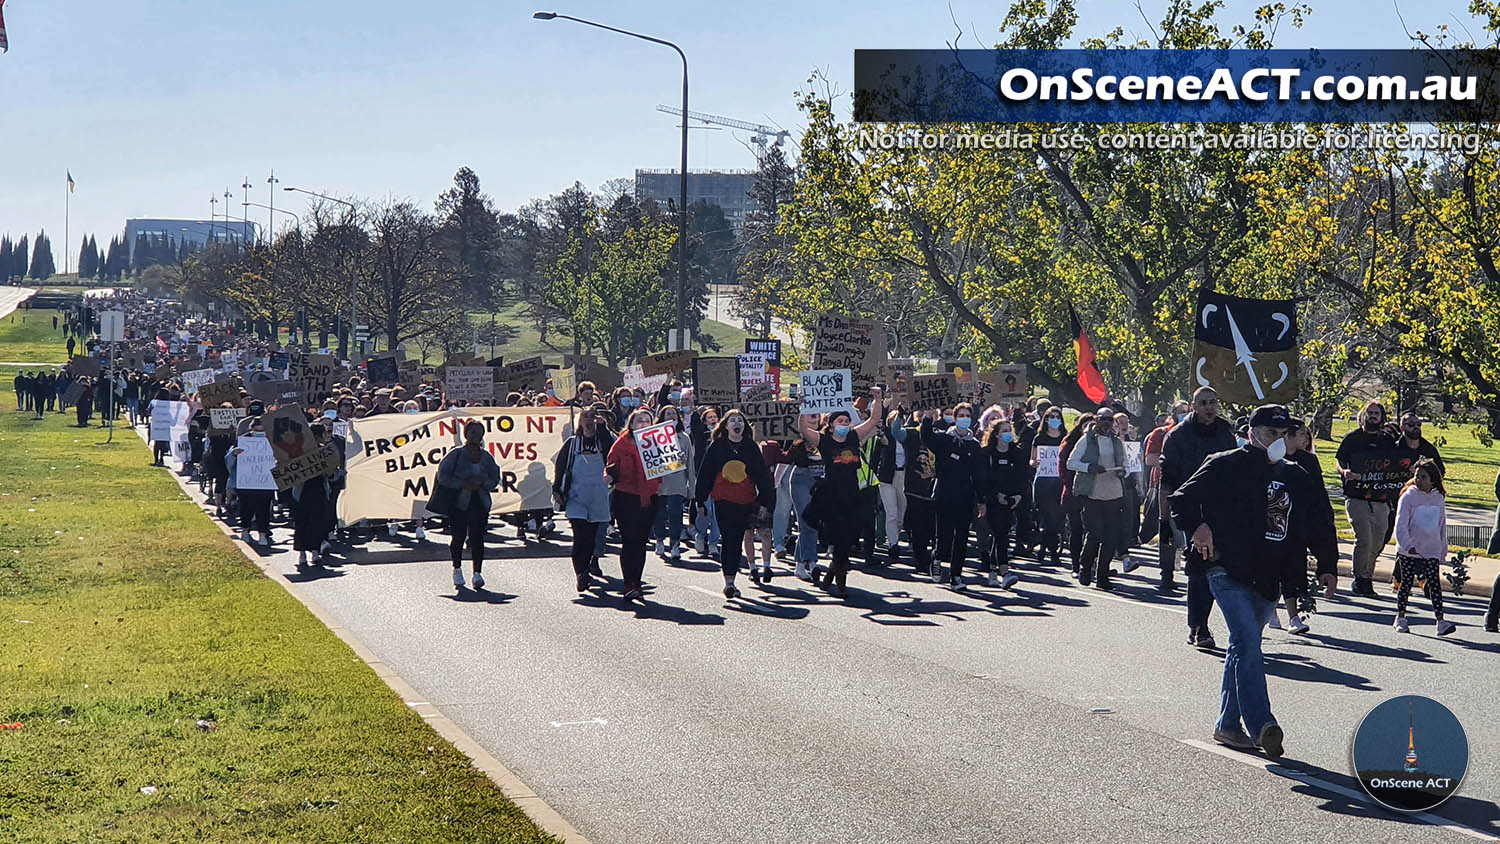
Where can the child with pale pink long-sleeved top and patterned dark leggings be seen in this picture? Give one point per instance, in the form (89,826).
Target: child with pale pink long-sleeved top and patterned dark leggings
(1423,540)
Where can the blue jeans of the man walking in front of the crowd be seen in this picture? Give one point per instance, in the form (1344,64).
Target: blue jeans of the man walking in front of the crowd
(1243,693)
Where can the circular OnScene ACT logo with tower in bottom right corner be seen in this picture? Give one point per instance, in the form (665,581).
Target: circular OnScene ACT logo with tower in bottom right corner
(1411,753)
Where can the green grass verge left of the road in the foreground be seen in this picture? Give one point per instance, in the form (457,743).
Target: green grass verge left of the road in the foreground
(125,617)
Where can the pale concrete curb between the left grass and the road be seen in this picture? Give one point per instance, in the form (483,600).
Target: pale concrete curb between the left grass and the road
(509,785)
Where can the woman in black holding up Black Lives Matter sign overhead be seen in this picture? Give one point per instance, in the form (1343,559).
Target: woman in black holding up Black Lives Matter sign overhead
(839,446)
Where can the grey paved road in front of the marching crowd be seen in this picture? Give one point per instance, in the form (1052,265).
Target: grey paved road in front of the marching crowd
(911,714)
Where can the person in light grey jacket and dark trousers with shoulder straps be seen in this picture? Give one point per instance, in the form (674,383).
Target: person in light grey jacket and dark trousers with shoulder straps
(1099,464)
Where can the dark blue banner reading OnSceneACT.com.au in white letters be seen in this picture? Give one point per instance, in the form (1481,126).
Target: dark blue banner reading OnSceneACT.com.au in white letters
(1177,86)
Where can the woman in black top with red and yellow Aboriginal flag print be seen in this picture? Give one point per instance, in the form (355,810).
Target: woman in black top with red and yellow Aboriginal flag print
(734,476)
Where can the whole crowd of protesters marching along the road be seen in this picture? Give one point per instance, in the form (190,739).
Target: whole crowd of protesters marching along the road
(1238,509)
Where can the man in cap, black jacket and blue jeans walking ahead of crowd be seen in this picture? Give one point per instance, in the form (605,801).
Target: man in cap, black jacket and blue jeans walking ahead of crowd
(1252,513)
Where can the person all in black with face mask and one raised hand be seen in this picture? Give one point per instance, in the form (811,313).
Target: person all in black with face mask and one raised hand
(961,485)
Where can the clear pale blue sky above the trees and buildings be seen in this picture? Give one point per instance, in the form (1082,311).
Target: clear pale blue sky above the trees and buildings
(157,106)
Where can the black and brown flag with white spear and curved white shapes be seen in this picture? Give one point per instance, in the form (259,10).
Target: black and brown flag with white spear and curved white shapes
(1247,349)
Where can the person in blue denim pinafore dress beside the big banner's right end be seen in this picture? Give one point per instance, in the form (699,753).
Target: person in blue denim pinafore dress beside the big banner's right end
(581,492)
